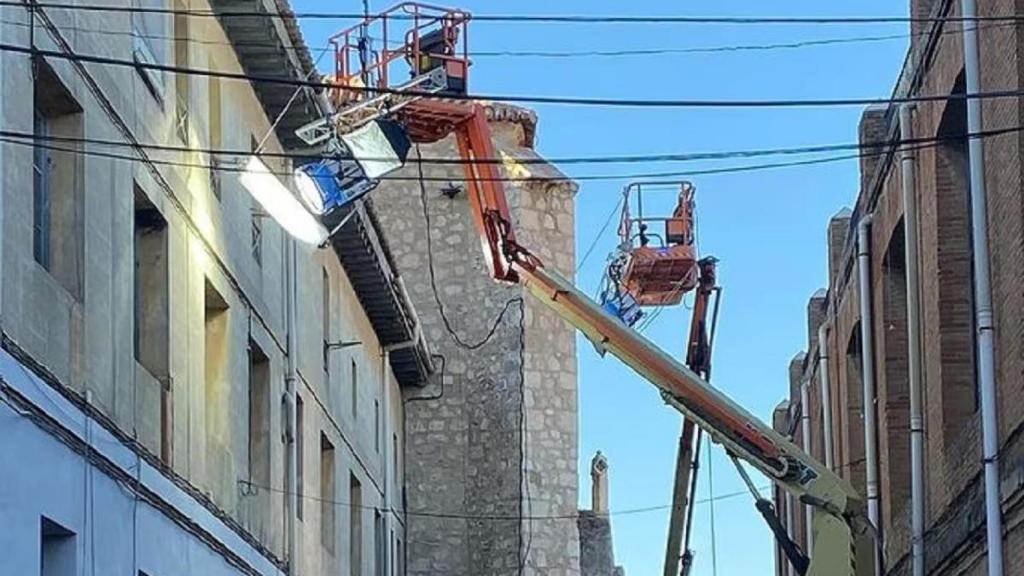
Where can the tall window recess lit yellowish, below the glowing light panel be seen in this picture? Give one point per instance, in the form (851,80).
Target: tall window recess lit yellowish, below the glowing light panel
(216,367)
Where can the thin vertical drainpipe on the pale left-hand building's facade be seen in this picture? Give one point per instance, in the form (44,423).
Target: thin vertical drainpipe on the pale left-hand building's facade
(291,377)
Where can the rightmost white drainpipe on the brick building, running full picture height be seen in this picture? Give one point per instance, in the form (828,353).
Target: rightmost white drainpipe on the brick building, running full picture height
(983,294)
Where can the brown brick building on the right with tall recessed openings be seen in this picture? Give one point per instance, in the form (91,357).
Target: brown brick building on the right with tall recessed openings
(955,509)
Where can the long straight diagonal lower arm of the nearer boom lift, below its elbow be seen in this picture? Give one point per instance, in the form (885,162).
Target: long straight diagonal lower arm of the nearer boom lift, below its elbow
(843,537)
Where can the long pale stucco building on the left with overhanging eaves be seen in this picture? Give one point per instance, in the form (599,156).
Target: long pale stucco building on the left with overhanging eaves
(146,425)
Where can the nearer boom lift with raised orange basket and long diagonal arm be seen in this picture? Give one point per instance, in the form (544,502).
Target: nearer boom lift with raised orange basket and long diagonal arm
(843,537)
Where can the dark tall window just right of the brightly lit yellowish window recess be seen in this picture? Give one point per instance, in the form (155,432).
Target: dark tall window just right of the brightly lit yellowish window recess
(260,418)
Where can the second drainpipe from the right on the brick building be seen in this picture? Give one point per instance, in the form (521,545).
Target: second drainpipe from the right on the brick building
(914,344)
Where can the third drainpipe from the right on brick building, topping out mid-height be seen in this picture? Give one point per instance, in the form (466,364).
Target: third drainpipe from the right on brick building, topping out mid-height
(868,372)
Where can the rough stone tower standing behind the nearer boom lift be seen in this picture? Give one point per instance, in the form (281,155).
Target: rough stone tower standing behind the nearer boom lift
(497,442)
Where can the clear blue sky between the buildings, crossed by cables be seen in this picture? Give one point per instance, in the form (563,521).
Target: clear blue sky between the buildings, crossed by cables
(767,228)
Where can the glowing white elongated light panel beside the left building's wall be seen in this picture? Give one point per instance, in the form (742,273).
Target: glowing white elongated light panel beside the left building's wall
(281,204)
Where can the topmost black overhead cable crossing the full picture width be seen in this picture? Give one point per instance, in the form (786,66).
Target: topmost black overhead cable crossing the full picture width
(537,19)
